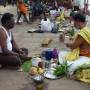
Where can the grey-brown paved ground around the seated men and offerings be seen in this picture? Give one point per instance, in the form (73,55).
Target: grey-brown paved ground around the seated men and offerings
(13,80)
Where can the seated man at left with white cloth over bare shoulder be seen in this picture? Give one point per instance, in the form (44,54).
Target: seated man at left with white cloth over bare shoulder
(10,53)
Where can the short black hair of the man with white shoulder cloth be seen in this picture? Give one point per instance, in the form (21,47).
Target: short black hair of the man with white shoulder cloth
(6,18)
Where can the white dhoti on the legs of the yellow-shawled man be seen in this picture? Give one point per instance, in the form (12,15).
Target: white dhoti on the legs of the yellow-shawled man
(73,64)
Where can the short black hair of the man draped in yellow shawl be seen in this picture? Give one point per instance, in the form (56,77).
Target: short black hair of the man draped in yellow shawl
(79,17)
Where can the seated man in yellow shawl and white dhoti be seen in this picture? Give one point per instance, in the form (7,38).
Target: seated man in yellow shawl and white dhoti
(80,47)
